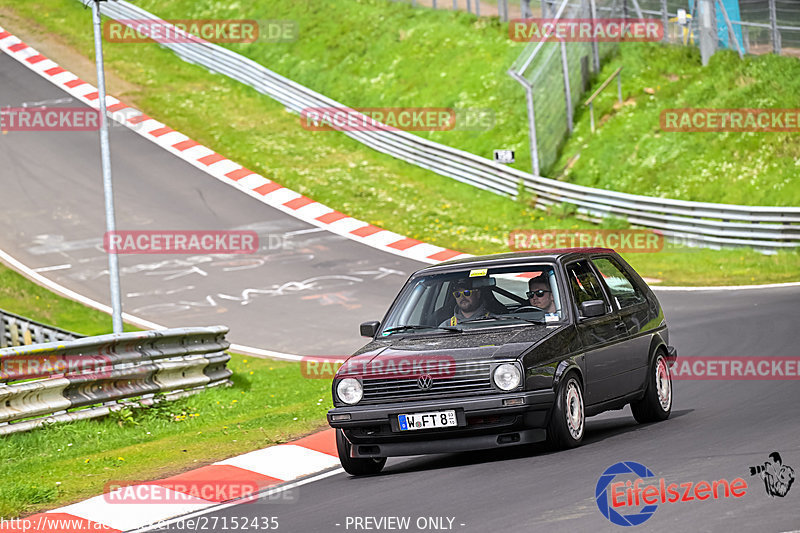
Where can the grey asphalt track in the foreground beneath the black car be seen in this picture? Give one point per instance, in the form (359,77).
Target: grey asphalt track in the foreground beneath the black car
(717,430)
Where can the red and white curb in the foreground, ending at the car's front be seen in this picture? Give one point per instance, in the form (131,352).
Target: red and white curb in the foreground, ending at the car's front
(112,512)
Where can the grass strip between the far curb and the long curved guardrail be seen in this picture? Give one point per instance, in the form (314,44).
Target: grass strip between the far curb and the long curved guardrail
(331,168)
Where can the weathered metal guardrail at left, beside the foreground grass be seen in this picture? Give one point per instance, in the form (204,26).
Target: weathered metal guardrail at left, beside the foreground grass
(173,362)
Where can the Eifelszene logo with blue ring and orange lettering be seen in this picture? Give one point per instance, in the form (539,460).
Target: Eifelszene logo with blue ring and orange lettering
(613,498)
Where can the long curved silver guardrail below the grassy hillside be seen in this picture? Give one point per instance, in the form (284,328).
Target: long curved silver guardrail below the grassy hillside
(703,224)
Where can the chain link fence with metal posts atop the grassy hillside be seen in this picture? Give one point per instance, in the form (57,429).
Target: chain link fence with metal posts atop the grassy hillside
(555,74)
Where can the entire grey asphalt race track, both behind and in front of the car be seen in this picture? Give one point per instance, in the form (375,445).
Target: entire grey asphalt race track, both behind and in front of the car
(52,216)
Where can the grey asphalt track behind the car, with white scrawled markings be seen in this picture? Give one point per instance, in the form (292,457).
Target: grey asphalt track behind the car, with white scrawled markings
(304,292)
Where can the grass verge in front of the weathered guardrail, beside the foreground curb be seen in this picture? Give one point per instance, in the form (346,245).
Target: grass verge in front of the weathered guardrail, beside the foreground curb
(269,403)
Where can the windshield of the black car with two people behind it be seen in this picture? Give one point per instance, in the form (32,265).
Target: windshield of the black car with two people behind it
(477,298)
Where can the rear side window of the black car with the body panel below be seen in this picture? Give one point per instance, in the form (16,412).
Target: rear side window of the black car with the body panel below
(634,312)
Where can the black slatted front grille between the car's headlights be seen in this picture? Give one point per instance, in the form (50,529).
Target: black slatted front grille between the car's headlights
(467,378)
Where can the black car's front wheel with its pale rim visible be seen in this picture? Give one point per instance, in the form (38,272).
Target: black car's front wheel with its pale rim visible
(568,418)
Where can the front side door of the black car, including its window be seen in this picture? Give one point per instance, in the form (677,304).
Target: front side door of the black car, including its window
(601,336)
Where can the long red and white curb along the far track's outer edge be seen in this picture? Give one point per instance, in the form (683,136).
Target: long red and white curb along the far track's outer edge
(222,168)
